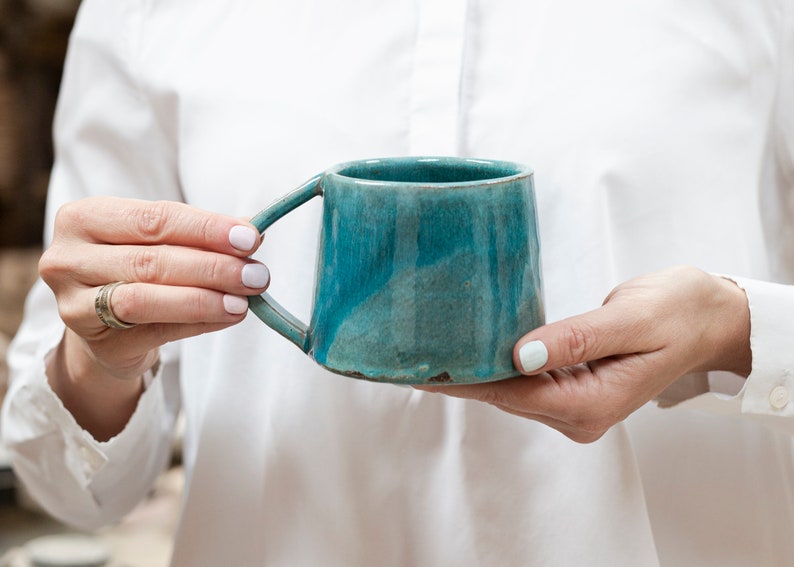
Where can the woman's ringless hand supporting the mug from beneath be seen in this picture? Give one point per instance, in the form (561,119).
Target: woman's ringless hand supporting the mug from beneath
(589,372)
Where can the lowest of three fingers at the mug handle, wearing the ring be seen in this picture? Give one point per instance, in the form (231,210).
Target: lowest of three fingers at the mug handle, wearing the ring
(144,304)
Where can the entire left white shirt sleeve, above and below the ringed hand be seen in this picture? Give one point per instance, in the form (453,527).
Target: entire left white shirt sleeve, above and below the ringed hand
(108,141)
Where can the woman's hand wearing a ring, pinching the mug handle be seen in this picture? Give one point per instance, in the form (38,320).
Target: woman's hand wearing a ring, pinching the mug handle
(188,274)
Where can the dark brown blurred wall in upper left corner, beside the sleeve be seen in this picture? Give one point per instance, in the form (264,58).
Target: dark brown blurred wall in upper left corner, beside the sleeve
(33,39)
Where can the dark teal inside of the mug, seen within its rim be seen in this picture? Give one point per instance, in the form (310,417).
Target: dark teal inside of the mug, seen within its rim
(433,170)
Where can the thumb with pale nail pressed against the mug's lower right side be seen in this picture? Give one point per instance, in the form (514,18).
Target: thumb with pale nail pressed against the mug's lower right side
(606,331)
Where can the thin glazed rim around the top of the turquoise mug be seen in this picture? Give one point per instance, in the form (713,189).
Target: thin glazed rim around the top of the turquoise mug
(521,170)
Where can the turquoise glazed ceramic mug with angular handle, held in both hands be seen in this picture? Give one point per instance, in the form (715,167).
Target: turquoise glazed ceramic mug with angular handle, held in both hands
(428,269)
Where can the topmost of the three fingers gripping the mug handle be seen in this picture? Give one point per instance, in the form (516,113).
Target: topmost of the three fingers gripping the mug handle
(114,220)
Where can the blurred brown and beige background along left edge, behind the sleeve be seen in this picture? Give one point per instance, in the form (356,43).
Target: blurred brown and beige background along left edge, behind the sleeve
(33,41)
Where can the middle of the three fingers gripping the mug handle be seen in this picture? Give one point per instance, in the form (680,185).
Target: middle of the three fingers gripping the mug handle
(170,265)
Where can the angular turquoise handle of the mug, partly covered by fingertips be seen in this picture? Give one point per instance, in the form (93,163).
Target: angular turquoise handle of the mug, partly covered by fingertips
(264,306)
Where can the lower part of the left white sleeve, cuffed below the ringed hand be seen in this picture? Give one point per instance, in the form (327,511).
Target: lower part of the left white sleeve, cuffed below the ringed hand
(77,479)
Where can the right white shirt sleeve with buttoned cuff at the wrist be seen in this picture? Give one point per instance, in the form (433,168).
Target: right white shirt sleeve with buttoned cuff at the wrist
(767,396)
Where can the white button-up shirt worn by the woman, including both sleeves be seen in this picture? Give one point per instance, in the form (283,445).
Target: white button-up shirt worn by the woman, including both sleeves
(661,133)
